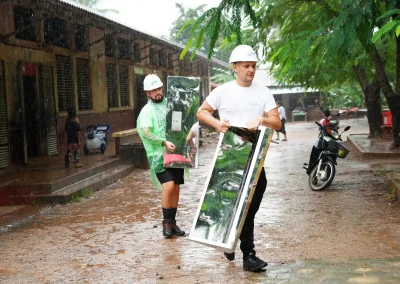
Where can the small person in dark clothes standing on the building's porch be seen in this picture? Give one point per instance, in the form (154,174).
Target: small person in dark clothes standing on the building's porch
(73,133)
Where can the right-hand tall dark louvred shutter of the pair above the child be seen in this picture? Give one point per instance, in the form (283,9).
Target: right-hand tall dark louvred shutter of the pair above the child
(83,83)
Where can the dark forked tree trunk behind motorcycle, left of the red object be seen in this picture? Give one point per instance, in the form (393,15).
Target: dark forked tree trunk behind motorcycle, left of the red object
(372,101)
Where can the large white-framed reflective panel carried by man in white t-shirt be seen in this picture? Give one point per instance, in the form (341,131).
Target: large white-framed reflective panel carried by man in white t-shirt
(237,167)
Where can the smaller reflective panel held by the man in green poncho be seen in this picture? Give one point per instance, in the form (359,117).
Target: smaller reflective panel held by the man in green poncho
(183,94)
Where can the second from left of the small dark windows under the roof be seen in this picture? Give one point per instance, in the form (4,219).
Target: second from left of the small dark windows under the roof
(56,32)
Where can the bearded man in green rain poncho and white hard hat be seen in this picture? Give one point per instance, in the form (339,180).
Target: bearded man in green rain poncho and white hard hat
(151,126)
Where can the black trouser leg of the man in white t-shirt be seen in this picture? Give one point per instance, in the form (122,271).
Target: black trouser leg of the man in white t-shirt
(247,235)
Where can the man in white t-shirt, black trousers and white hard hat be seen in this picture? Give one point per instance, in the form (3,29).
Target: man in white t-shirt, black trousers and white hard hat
(243,103)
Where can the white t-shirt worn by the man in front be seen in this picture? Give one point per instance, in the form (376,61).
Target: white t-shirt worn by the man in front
(240,104)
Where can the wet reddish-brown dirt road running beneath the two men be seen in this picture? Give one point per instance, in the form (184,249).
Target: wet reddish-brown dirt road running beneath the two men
(115,235)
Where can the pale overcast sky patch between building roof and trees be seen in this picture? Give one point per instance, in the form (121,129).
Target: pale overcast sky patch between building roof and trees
(151,16)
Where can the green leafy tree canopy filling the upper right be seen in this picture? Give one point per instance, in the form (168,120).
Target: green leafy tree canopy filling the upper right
(314,44)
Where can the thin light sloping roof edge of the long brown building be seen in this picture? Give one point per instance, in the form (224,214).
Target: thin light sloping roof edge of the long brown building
(126,25)
